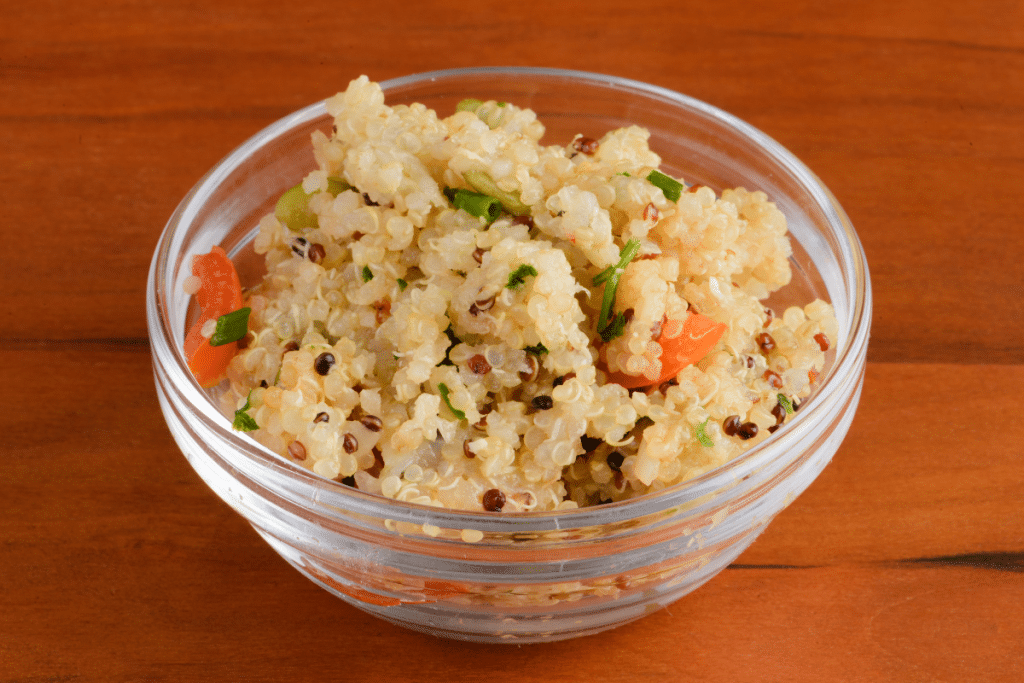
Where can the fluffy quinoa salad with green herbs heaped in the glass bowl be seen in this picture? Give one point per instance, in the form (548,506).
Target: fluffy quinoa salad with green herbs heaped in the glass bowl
(456,316)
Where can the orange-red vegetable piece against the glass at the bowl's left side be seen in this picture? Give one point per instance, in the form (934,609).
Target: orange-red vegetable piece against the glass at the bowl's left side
(220,294)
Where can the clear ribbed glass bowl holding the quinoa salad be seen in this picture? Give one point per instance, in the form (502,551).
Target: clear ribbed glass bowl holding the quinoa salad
(523,577)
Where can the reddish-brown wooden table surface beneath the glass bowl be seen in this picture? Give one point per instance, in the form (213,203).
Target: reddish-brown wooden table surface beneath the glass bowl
(905,562)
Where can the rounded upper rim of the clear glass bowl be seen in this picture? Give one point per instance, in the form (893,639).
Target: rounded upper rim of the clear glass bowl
(848,362)
